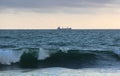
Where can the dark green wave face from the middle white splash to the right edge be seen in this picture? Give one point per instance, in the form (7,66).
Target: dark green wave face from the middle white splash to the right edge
(80,59)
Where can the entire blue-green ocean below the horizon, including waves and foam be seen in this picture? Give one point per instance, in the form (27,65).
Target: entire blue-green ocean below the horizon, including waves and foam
(59,52)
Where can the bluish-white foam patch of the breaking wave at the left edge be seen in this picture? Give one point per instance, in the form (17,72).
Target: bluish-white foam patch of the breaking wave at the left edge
(9,56)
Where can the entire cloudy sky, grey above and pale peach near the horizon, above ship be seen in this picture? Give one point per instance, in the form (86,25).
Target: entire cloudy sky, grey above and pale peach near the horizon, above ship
(49,14)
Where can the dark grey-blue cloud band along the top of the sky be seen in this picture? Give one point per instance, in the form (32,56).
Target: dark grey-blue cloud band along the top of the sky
(51,3)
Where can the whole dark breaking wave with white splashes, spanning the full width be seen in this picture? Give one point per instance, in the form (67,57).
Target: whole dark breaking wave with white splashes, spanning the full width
(70,58)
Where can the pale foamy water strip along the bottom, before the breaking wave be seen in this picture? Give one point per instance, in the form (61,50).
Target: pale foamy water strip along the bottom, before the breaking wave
(62,72)
